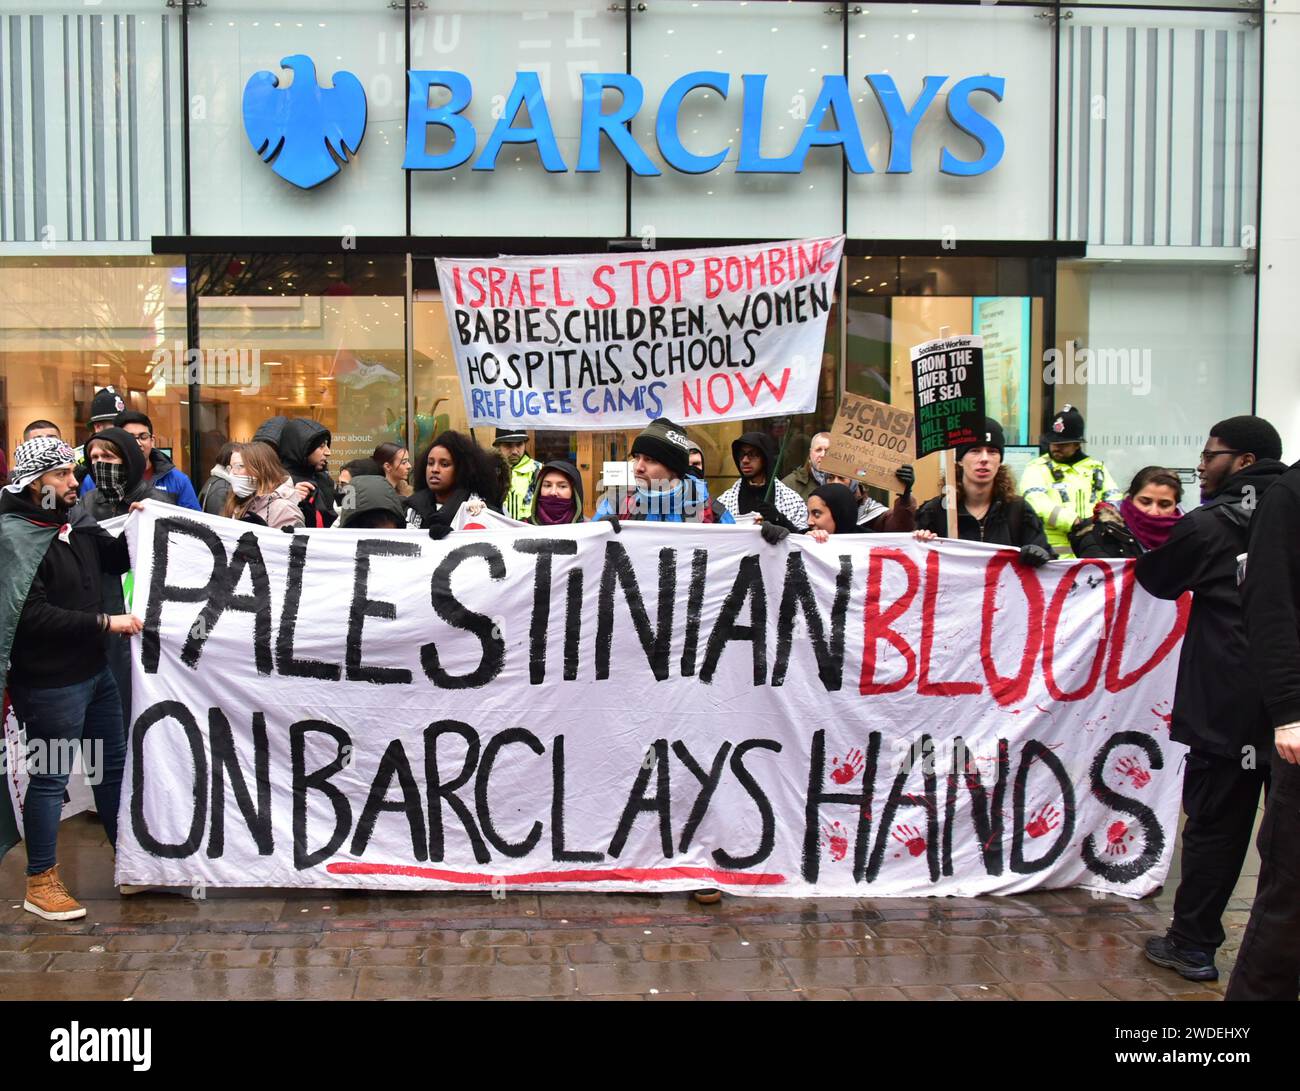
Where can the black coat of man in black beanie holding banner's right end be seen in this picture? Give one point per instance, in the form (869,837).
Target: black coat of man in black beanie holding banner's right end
(1217,705)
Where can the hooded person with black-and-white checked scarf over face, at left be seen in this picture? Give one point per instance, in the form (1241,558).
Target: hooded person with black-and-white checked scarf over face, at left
(118,465)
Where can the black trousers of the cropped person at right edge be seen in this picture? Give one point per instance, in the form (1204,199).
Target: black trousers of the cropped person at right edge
(1268,966)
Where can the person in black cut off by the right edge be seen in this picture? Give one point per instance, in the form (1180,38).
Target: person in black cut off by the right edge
(1268,963)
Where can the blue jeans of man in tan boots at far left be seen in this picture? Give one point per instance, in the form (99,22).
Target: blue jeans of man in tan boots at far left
(55,721)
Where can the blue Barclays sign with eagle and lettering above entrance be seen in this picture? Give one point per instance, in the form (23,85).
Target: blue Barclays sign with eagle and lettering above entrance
(307,135)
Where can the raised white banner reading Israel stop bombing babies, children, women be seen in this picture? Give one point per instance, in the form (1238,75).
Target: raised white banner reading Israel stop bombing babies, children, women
(599,341)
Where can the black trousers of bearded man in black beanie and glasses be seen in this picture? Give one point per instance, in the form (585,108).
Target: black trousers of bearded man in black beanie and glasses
(1221,800)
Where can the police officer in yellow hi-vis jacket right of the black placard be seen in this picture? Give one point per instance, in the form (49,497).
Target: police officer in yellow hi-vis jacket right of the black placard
(1065,486)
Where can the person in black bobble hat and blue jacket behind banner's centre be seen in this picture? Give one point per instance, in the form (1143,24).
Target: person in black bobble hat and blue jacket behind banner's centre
(666,491)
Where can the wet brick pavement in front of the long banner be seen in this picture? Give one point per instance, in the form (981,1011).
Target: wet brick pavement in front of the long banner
(337,946)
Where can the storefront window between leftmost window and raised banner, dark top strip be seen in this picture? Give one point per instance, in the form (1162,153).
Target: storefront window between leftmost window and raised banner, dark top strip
(302,336)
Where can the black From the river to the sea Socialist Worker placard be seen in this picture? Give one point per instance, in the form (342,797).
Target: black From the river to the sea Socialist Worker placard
(948,391)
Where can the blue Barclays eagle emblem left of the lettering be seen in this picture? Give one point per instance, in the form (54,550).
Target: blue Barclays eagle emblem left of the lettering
(305,131)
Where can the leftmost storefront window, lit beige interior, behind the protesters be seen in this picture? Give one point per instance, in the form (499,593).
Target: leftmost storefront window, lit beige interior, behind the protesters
(71,327)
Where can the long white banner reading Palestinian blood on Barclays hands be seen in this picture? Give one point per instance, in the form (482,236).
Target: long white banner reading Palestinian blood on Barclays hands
(665,708)
